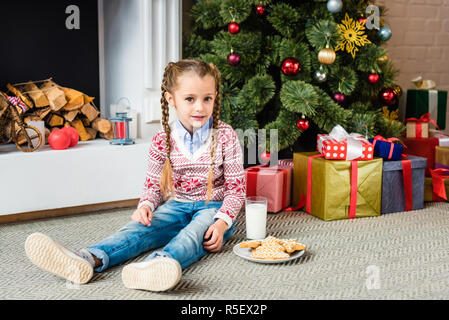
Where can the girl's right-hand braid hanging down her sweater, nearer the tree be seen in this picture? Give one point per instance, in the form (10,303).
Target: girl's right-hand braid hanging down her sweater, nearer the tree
(215,119)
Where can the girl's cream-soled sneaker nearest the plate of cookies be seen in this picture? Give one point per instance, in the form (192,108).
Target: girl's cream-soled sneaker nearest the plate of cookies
(159,274)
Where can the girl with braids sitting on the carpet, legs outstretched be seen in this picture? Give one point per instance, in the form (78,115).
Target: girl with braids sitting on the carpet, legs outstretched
(193,191)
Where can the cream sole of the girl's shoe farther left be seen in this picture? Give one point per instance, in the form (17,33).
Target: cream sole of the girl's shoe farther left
(50,256)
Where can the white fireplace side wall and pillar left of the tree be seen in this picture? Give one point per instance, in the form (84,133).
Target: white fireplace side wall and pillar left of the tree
(140,37)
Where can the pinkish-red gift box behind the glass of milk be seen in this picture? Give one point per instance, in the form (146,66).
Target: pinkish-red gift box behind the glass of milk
(271,182)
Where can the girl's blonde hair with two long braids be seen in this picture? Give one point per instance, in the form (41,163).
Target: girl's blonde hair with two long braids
(172,71)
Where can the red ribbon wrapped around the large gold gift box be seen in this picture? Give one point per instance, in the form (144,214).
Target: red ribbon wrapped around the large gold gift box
(307,201)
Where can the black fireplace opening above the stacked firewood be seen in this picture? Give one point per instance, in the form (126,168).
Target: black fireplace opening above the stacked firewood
(36,45)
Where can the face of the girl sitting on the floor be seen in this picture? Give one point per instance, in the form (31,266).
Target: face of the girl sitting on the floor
(193,98)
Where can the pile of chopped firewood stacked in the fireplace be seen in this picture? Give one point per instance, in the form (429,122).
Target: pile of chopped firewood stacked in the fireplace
(60,106)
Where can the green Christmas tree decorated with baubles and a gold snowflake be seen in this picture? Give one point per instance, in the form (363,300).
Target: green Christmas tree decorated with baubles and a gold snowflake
(288,65)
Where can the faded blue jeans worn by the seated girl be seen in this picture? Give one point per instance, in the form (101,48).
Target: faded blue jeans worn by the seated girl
(178,227)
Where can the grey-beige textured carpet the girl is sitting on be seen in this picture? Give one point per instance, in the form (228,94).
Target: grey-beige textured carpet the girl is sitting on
(394,256)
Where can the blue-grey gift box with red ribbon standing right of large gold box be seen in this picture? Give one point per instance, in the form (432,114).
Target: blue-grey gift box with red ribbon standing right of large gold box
(403,184)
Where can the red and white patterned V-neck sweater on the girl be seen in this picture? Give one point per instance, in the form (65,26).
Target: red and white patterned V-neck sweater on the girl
(190,172)
